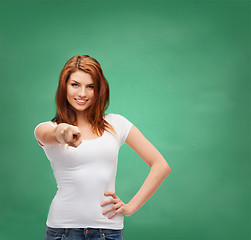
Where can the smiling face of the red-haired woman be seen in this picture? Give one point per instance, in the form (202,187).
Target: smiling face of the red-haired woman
(80,90)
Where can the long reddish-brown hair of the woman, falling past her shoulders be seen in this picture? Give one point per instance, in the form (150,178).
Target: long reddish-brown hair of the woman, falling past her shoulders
(66,113)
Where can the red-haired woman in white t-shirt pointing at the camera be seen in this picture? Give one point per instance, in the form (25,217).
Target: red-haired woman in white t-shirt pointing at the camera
(82,144)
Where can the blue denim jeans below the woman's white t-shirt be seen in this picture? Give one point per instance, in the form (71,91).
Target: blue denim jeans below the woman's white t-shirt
(83,234)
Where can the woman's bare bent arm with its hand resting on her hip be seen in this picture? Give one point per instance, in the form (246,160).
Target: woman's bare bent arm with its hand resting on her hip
(159,171)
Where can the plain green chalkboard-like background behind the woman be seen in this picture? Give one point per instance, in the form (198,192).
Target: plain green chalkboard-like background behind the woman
(178,70)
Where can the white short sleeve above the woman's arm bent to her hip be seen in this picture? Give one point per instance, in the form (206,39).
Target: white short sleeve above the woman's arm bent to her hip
(123,127)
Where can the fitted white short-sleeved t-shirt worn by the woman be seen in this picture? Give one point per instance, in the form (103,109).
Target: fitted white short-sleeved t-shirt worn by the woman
(83,174)
